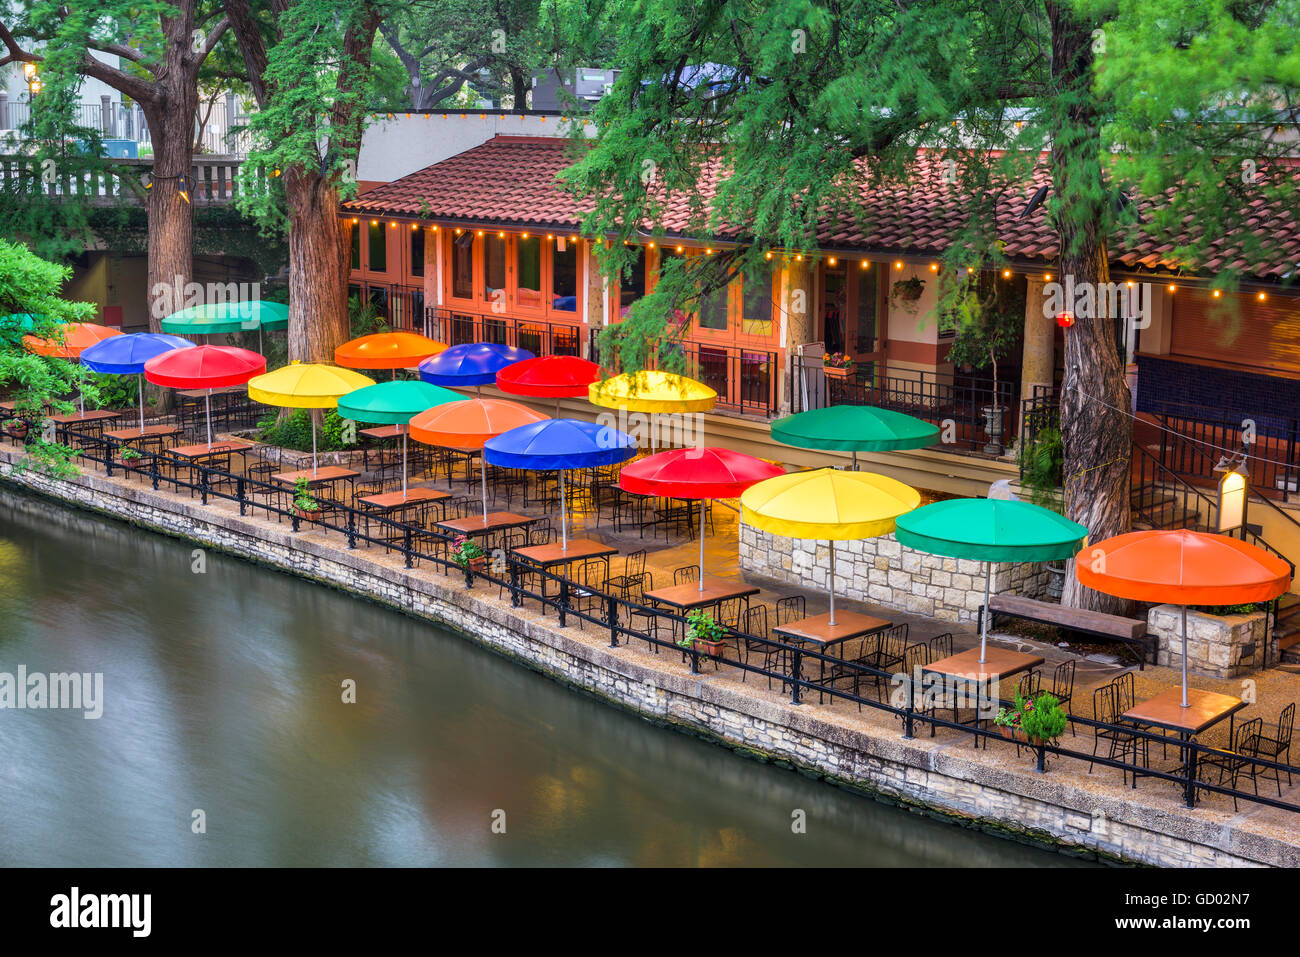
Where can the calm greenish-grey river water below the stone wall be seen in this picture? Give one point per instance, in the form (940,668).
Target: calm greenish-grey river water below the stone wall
(223,714)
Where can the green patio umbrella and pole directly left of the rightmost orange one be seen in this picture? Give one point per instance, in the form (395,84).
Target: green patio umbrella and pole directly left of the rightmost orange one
(990,530)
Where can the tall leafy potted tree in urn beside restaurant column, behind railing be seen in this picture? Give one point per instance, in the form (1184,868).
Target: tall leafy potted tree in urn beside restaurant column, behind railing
(989,317)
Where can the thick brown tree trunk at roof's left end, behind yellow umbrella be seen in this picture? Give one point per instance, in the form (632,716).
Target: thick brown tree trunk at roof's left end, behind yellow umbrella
(319,253)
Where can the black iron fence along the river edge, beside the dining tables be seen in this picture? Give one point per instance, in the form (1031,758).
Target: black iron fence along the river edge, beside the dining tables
(907,695)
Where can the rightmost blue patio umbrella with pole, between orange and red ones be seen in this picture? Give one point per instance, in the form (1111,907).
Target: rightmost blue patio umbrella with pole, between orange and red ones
(557,445)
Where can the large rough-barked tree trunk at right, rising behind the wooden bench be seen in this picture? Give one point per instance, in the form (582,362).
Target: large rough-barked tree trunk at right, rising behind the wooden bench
(1097,430)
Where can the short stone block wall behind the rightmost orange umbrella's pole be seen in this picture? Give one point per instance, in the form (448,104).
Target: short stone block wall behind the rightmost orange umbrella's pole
(1217,646)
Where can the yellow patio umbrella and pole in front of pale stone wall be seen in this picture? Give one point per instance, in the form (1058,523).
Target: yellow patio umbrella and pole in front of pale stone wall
(827,504)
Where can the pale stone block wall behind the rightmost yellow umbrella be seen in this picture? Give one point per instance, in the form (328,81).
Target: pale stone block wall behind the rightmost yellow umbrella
(885,573)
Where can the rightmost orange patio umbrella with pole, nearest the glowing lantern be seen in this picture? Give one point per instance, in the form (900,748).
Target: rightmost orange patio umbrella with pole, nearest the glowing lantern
(1182,568)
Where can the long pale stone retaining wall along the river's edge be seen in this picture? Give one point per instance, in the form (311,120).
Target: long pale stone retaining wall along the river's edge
(947,778)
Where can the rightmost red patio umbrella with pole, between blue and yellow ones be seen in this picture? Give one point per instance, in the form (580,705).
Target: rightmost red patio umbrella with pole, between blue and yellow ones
(701,474)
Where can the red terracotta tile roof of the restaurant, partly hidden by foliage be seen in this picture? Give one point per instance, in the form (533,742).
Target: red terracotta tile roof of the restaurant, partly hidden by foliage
(513,181)
